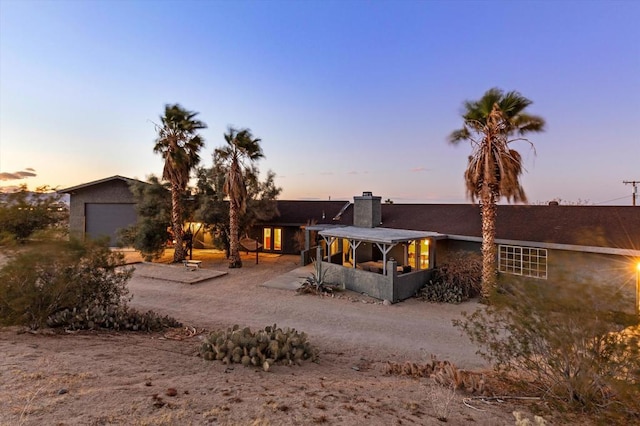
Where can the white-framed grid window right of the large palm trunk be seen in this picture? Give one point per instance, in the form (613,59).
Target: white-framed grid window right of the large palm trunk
(525,261)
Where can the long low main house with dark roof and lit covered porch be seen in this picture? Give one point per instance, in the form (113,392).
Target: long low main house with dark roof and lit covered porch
(541,242)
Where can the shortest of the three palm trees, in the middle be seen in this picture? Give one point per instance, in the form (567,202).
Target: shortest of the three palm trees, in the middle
(241,151)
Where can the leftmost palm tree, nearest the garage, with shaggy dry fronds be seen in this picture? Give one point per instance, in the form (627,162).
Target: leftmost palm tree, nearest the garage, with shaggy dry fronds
(178,142)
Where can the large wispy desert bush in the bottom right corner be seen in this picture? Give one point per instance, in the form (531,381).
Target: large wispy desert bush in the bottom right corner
(572,342)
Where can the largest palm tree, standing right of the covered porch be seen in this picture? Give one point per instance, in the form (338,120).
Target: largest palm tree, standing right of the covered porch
(491,124)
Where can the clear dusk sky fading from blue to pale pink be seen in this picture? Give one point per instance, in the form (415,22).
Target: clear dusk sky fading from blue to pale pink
(346,96)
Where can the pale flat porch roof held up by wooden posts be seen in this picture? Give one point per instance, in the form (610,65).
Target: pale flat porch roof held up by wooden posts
(378,235)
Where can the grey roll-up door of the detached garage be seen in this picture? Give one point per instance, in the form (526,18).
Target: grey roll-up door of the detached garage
(105,219)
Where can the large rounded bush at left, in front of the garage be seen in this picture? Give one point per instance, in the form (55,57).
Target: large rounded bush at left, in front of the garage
(46,278)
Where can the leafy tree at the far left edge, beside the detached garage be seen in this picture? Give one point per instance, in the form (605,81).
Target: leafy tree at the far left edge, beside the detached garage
(24,213)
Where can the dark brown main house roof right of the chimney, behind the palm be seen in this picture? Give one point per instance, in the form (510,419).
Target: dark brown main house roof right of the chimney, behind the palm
(596,226)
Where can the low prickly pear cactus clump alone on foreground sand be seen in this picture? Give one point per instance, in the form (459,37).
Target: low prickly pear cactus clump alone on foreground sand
(262,348)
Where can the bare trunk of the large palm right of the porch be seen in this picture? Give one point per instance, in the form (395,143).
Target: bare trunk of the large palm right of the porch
(489,268)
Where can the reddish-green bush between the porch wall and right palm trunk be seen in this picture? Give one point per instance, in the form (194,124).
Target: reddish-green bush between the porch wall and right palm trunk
(456,280)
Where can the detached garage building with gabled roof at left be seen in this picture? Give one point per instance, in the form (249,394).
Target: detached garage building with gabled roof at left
(100,208)
